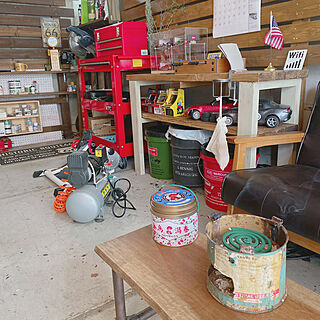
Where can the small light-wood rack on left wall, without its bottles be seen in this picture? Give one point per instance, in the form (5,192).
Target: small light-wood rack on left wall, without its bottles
(10,107)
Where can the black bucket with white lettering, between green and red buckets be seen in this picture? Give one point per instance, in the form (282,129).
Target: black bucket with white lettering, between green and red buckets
(185,158)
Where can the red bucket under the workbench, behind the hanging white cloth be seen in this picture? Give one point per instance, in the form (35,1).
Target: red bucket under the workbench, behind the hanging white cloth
(214,177)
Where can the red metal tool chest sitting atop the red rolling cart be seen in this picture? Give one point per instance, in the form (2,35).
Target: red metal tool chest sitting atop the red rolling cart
(124,38)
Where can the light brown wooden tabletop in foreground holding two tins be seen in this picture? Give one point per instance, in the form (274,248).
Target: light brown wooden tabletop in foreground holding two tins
(173,281)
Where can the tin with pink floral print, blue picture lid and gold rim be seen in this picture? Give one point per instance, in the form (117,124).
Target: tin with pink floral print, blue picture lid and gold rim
(174,217)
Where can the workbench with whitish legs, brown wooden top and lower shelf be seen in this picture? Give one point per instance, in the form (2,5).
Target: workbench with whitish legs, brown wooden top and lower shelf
(251,83)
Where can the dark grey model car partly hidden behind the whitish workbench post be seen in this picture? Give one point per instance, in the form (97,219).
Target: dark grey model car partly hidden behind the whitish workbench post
(270,114)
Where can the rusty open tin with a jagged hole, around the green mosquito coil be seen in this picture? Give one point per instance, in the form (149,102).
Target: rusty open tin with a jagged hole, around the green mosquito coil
(247,281)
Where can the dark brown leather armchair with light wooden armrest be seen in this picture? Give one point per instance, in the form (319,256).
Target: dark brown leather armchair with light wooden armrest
(290,192)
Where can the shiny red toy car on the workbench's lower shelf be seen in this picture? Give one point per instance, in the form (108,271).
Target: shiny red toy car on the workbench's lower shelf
(196,111)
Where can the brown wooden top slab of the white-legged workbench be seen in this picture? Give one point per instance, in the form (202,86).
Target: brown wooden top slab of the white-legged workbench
(245,76)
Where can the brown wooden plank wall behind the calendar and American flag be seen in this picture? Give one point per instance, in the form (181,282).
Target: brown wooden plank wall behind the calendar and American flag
(299,21)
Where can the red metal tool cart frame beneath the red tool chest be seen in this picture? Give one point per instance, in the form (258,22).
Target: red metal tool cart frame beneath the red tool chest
(121,111)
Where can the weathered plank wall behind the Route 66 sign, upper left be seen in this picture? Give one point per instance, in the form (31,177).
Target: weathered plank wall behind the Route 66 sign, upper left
(20,31)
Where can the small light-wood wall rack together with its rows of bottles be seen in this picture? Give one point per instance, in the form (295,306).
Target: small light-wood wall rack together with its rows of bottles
(19,118)
